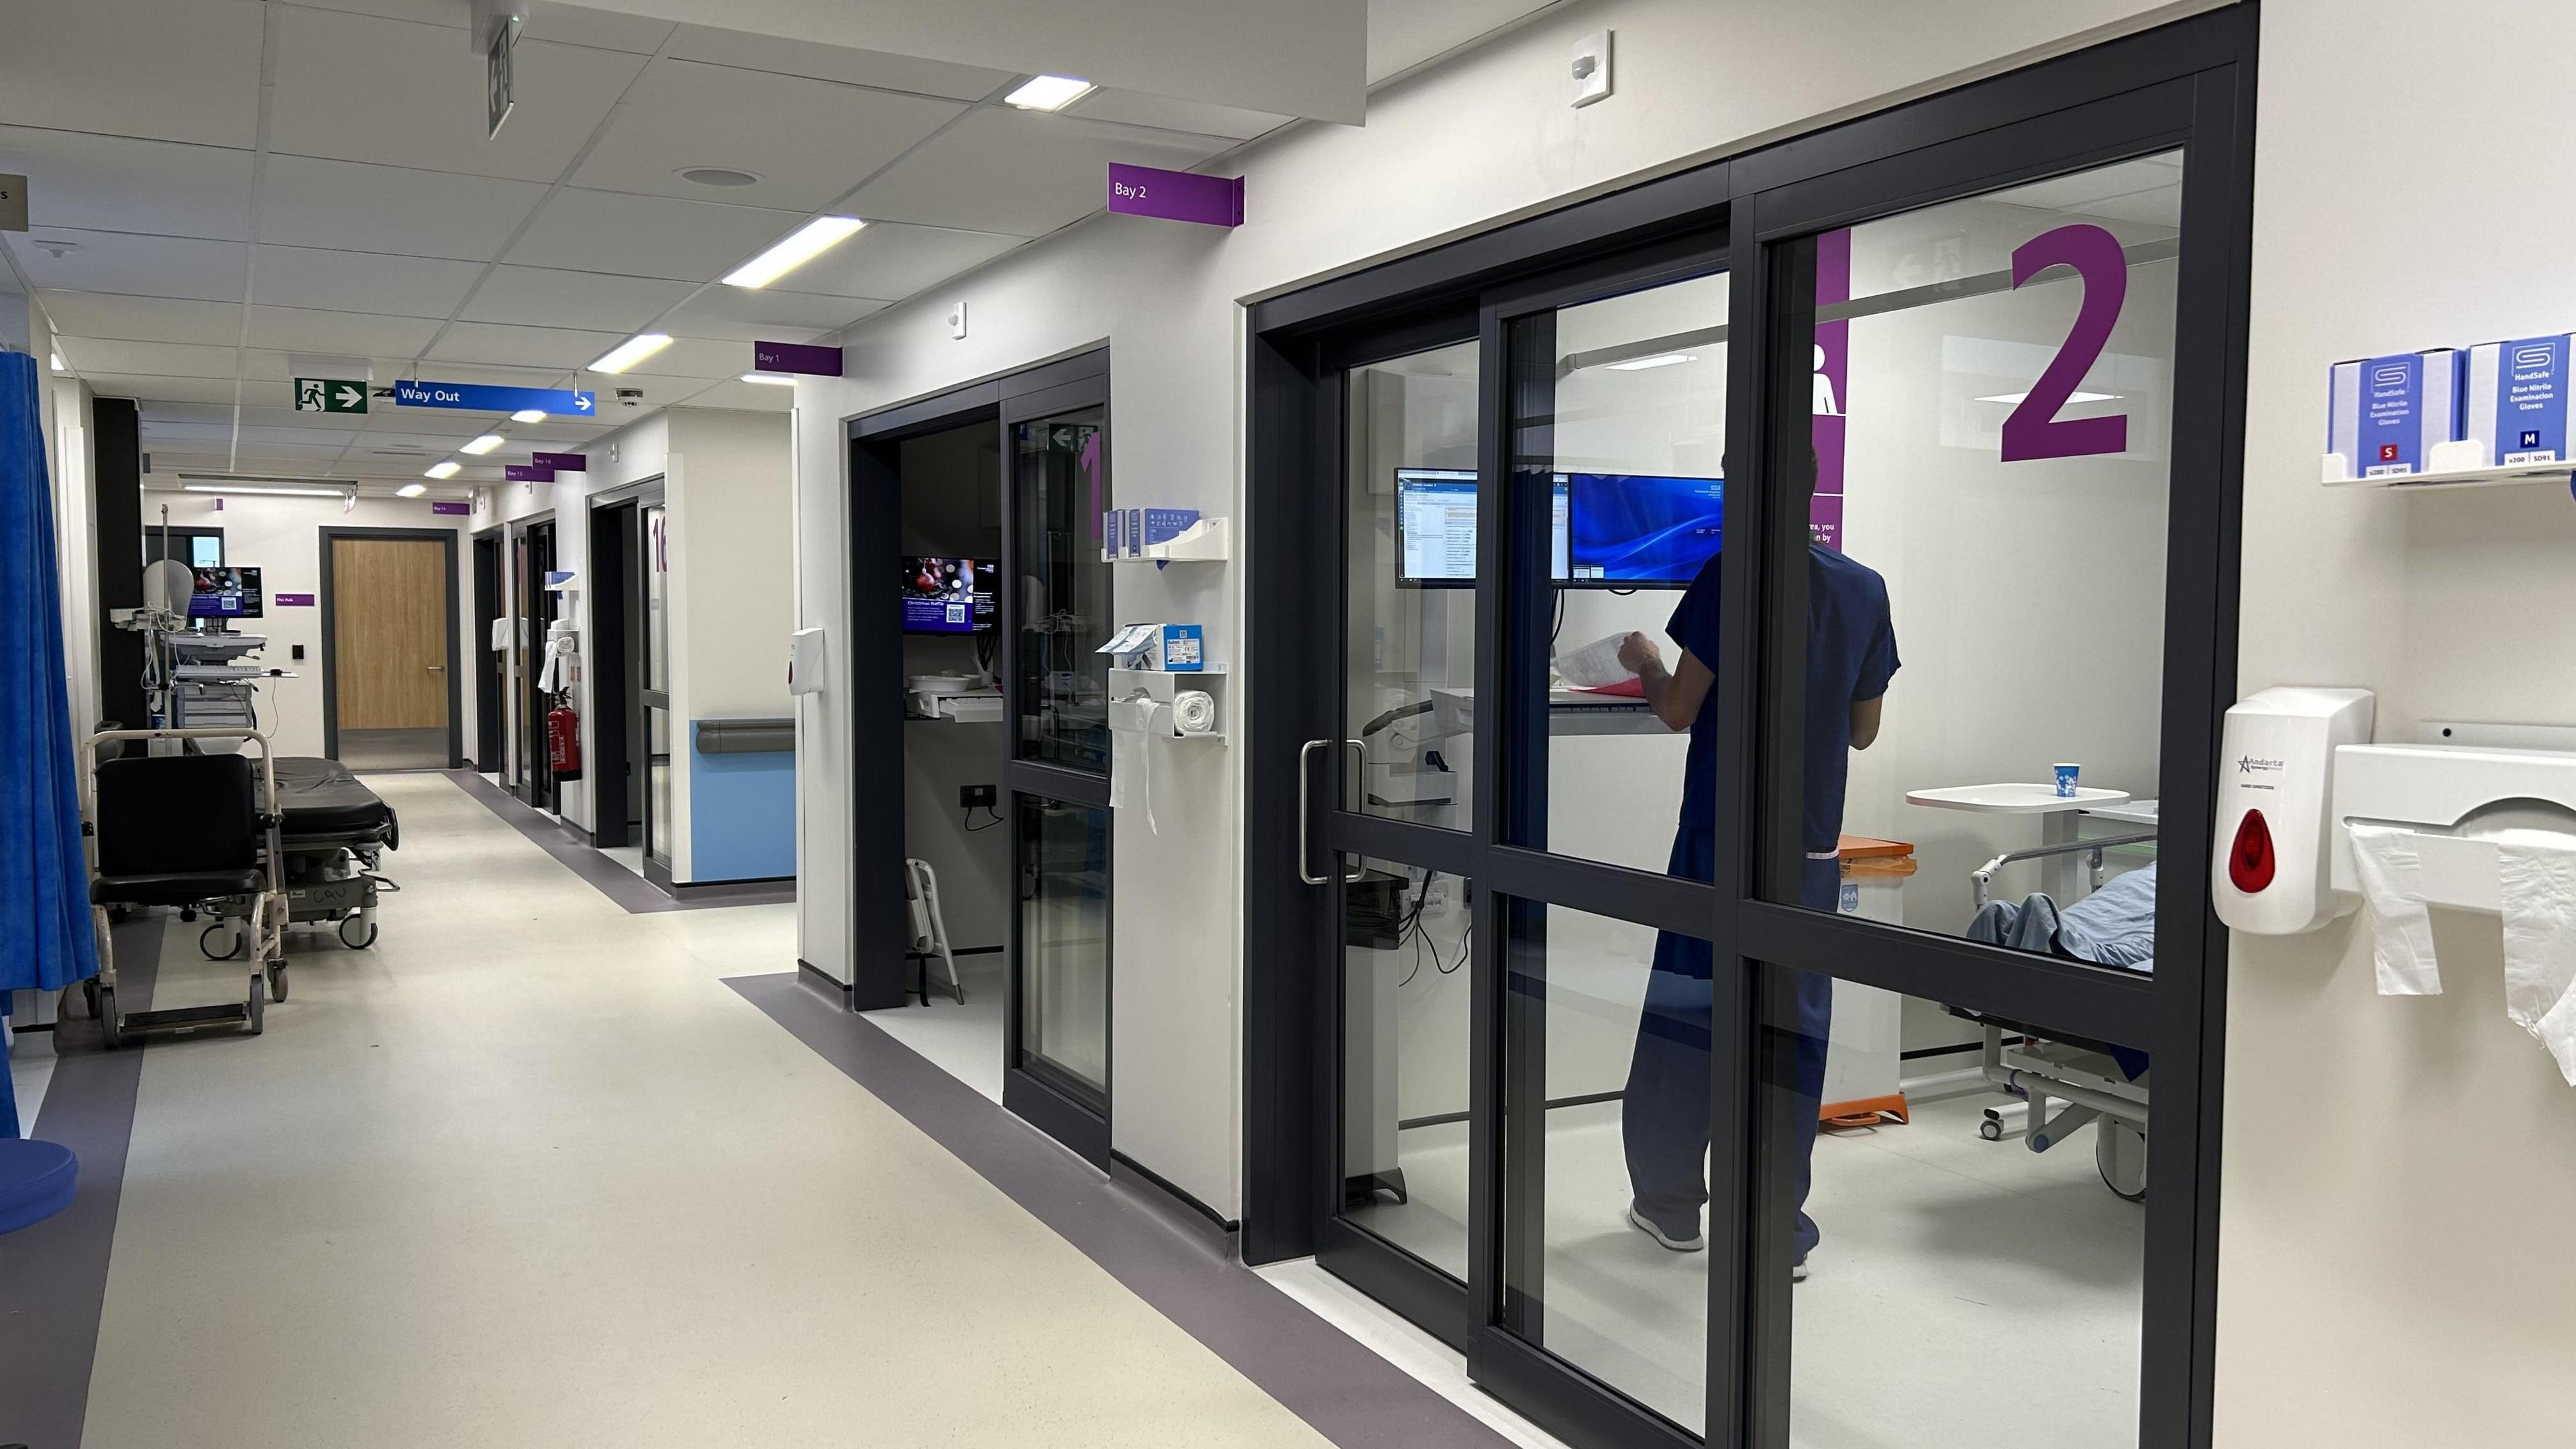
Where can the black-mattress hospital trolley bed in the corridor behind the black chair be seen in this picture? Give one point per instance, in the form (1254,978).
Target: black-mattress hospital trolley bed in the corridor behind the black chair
(334,834)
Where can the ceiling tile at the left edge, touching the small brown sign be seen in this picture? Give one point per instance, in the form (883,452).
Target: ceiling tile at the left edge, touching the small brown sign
(122,184)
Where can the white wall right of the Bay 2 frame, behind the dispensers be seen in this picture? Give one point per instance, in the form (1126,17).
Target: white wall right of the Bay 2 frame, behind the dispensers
(2397,1172)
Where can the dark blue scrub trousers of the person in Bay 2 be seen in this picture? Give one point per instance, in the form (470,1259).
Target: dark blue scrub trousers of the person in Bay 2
(1665,1110)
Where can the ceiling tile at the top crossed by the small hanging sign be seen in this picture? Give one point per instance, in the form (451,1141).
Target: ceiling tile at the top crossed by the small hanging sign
(406,94)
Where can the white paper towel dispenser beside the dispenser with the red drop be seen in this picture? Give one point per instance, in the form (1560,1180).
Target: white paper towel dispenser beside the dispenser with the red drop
(2459,801)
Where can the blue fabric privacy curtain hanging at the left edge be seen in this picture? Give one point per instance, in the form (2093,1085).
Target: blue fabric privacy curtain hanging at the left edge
(45,896)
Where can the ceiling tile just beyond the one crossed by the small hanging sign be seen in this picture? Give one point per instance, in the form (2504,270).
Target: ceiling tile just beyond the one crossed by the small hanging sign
(388,210)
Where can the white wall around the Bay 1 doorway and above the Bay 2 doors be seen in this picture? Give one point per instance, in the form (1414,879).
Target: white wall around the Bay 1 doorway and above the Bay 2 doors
(1696,79)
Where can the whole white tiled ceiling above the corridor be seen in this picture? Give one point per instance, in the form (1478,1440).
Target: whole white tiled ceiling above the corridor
(192,226)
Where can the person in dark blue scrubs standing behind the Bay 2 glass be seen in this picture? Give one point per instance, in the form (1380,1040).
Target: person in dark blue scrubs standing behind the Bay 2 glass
(1851,656)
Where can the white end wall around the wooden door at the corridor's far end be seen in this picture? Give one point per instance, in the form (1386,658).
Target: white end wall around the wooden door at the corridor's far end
(282,538)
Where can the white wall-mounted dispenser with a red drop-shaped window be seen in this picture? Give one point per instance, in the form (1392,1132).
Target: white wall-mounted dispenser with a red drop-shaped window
(2276,808)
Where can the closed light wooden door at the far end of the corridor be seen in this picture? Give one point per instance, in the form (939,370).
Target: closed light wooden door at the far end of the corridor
(390,633)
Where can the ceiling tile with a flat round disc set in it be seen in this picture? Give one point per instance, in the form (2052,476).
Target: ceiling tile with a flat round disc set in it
(692,115)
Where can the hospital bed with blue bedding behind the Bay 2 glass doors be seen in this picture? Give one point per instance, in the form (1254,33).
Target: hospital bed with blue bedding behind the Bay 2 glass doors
(2101,1087)
